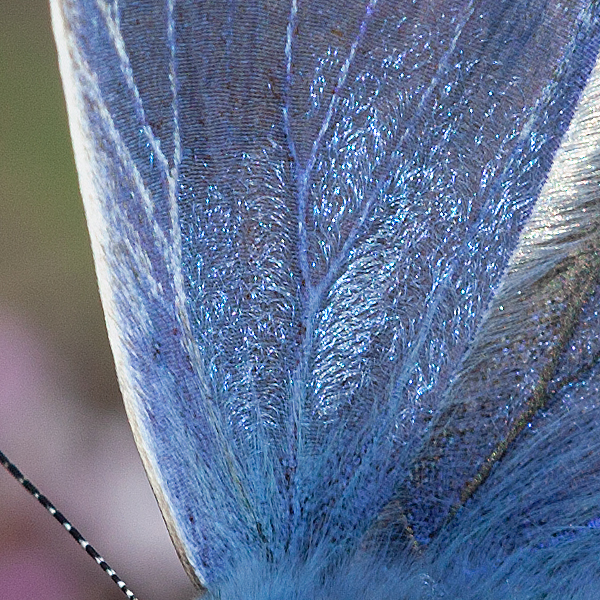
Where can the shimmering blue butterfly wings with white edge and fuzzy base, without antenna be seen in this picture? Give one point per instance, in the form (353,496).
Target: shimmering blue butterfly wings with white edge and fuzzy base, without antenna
(349,254)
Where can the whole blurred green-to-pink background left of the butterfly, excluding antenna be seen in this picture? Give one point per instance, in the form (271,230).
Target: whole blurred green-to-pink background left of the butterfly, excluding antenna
(61,418)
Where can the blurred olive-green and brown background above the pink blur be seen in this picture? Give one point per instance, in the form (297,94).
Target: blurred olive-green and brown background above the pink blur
(45,258)
